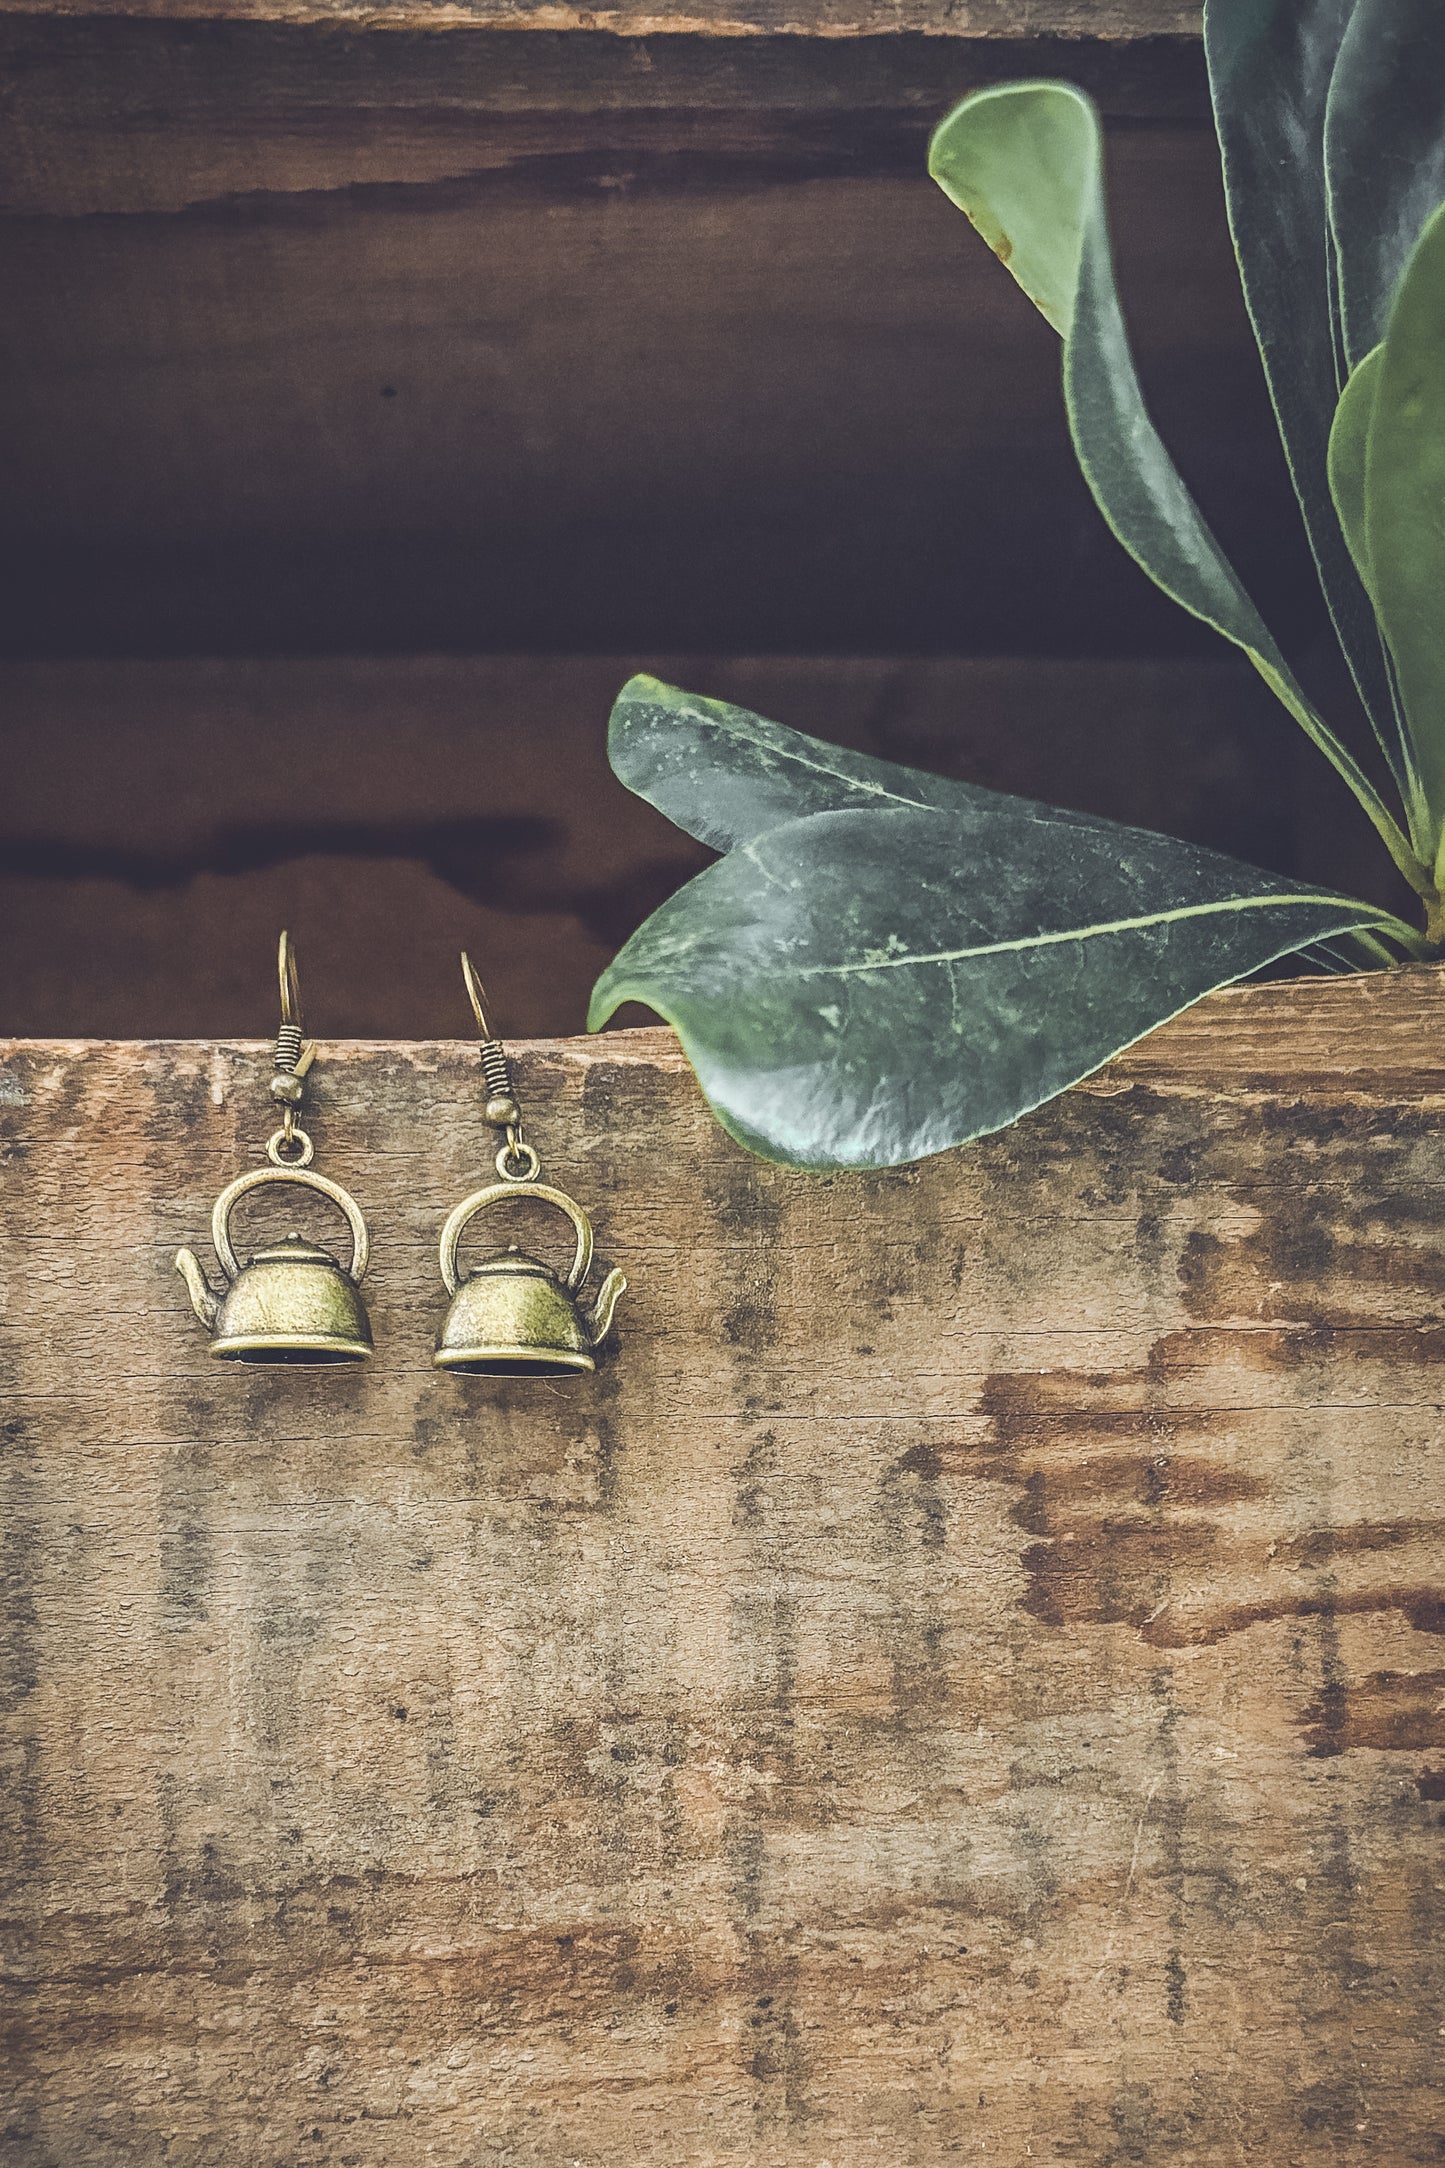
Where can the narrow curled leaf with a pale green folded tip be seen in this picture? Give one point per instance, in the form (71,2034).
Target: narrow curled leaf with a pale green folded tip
(1024,164)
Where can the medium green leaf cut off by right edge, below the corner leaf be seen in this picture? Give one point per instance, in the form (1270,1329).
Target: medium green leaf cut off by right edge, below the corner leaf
(1405,504)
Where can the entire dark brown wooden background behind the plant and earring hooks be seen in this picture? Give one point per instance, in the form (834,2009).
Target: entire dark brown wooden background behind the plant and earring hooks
(382,387)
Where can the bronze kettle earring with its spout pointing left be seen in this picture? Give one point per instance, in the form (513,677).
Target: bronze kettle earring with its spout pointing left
(291,1302)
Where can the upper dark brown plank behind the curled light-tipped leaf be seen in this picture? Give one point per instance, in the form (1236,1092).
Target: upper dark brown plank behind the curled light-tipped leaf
(322,341)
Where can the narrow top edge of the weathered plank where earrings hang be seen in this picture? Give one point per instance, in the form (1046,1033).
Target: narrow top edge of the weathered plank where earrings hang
(1377,1035)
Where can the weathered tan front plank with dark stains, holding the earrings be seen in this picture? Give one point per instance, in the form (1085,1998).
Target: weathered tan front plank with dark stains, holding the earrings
(965,1679)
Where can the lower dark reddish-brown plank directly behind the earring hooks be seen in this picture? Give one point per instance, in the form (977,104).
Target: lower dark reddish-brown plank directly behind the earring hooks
(164,821)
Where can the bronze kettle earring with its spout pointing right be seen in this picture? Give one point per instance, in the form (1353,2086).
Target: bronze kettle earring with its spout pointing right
(515,1317)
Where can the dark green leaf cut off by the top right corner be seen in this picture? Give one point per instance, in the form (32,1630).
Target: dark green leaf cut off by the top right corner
(1383,155)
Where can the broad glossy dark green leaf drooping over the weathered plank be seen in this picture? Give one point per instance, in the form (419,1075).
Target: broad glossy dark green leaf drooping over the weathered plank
(865,985)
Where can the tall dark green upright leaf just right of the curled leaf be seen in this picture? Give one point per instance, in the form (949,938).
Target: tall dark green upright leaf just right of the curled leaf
(1271,66)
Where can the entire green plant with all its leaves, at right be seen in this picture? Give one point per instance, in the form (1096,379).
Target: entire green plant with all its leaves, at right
(887,964)
